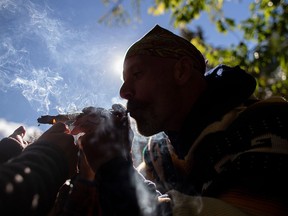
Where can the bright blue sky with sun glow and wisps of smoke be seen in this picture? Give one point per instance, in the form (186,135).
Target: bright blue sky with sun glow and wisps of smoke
(55,57)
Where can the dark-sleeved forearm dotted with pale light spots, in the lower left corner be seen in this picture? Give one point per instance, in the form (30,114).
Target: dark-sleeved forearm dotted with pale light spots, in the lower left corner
(30,182)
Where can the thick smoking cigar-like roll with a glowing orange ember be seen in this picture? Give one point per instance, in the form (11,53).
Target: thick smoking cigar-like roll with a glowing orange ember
(49,119)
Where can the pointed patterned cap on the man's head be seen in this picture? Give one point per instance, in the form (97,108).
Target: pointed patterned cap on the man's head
(163,43)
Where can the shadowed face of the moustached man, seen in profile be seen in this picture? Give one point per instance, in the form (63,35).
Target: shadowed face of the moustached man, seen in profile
(151,92)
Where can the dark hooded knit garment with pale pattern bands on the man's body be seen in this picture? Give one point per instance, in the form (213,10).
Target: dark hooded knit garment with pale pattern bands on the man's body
(231,141)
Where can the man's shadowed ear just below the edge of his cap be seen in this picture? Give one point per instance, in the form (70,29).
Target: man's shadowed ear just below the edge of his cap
(183,70)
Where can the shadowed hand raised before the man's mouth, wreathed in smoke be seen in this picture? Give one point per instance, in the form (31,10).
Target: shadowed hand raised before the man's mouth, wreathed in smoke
(106,134)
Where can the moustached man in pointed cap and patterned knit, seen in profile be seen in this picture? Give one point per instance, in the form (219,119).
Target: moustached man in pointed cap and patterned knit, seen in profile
(223,152)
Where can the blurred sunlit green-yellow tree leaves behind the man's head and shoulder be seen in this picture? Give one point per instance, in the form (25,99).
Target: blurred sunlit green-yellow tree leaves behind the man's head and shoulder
(263,49)
